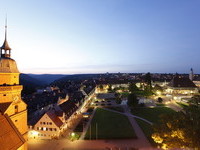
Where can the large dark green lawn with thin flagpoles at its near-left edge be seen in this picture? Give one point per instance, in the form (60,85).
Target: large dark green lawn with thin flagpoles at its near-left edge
(110,125)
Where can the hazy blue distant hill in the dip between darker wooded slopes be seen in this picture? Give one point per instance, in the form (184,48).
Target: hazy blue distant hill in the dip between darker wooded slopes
(47,78)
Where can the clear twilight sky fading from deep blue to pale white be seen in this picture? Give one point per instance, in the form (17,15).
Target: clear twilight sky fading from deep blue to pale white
(98,36)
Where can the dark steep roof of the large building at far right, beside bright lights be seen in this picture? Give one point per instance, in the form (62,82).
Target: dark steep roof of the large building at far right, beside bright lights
(182,82)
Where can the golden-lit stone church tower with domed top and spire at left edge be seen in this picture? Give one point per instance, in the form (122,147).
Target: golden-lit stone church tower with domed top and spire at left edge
(11,103)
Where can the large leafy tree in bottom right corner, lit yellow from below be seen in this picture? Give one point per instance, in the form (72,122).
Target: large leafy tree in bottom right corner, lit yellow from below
(179,130)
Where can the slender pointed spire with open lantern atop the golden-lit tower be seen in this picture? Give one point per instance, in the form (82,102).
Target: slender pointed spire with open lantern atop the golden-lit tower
(5,48)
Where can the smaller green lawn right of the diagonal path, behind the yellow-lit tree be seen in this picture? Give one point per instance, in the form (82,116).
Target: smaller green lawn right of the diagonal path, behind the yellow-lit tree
(151,114)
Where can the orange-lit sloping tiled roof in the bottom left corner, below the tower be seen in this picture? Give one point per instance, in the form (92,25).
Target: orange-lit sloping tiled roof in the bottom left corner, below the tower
(10,138)
